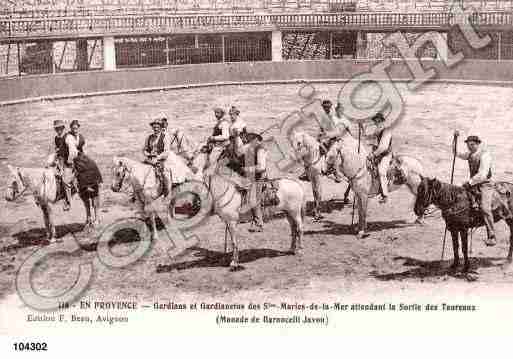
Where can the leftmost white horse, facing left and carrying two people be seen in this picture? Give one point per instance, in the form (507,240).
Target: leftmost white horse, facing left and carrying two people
(42,184)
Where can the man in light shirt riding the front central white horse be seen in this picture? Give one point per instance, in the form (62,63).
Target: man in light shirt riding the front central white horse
(255,168)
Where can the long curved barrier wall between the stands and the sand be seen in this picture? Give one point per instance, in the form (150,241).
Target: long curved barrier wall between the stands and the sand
(82,84)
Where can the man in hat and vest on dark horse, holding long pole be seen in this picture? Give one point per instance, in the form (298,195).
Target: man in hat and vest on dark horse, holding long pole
(480,165)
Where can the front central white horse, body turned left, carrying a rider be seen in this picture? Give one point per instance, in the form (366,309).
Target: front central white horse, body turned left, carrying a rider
(228,203)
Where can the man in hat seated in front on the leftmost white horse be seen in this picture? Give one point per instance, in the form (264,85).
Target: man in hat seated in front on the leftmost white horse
(60,159)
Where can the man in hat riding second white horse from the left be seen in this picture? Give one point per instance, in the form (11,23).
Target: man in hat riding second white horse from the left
(156,152)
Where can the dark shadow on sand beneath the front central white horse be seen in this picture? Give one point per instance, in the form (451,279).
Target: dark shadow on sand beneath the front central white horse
(211,259)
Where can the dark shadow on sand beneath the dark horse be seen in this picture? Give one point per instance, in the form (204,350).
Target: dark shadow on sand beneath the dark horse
(432,269)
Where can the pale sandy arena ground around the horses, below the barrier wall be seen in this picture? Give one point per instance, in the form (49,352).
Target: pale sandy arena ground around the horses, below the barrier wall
(397,256)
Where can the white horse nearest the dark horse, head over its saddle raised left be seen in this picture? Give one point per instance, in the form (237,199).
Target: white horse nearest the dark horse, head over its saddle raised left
(354,165)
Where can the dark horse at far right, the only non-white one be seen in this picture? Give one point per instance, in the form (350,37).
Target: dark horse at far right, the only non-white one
(459,214)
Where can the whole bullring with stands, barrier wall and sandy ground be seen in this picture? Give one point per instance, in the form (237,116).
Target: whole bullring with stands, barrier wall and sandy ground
(115,97)
